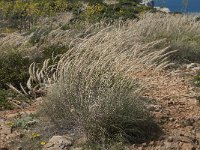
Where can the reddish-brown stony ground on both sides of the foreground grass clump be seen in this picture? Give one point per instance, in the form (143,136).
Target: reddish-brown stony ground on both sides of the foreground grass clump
(175,108)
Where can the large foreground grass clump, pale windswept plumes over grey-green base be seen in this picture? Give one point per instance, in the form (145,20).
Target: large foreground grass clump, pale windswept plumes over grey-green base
(92,93)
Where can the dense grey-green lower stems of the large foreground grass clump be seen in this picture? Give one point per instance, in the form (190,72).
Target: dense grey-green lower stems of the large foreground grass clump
(104,106)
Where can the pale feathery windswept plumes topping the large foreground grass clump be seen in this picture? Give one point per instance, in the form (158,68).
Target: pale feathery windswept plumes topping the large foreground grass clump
(113,44)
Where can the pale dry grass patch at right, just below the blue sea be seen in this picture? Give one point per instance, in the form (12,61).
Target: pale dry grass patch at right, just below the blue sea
(180,31)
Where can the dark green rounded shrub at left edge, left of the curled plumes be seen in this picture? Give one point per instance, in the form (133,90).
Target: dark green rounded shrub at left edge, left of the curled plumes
(13,69)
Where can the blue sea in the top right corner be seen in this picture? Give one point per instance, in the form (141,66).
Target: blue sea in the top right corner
(178,5)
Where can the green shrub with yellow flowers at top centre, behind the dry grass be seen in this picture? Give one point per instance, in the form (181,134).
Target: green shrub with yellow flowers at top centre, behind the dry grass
(94,12)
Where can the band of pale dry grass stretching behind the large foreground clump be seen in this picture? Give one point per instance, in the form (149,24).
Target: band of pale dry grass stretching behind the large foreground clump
(180,33)
